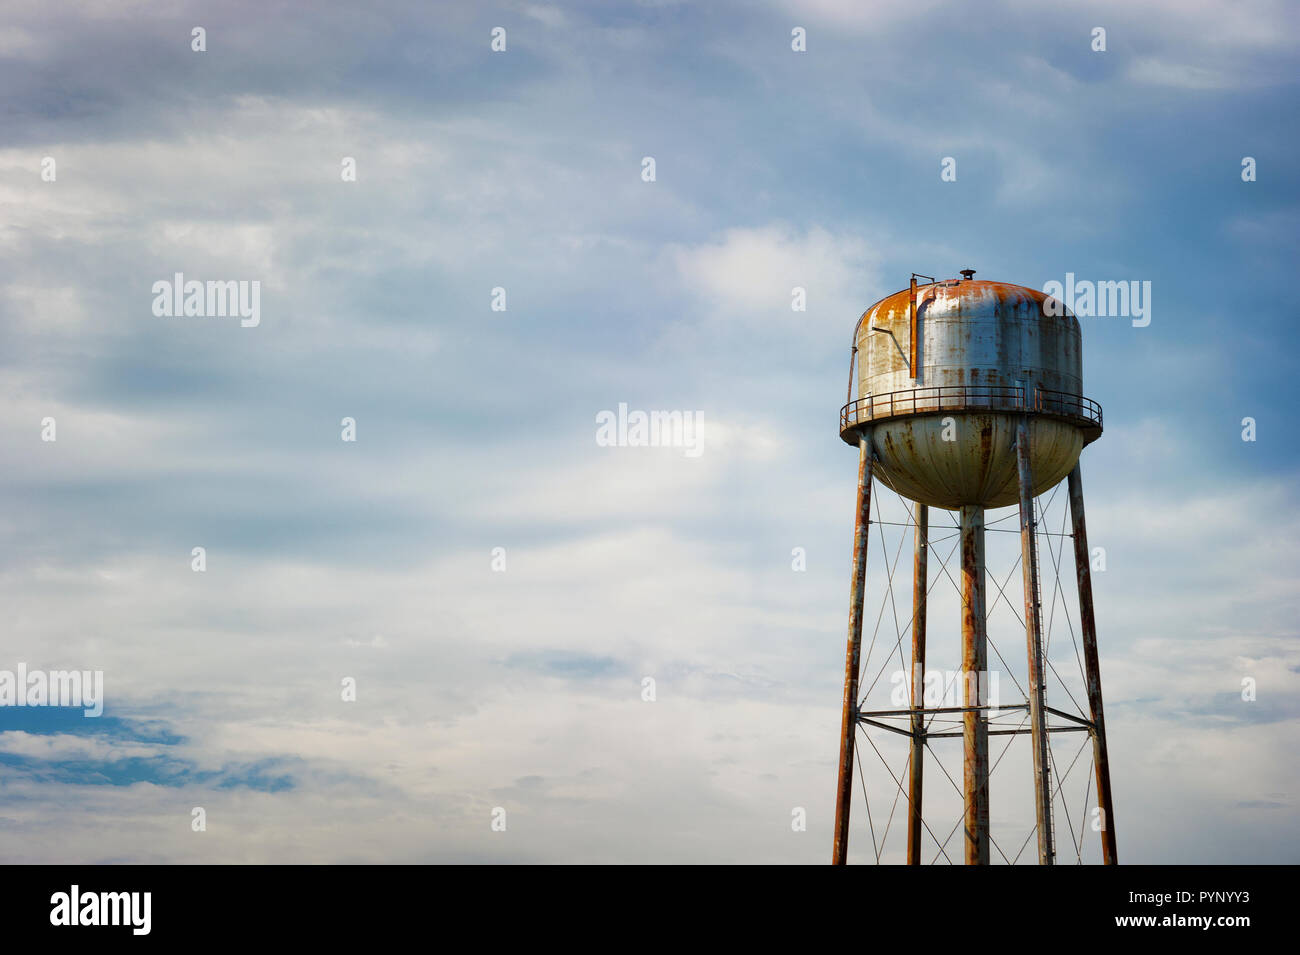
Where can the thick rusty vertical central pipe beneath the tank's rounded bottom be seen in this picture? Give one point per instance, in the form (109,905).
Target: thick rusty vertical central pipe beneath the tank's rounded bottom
(974,666)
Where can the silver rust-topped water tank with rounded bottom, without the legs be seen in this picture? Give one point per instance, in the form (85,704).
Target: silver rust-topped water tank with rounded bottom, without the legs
(944,371)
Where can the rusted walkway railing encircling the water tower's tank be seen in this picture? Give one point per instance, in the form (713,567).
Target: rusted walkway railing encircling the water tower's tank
(970,398)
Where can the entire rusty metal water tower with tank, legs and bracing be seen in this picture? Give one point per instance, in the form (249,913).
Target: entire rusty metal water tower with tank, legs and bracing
(970,397)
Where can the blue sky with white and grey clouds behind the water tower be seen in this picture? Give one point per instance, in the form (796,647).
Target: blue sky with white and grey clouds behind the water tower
(374,561)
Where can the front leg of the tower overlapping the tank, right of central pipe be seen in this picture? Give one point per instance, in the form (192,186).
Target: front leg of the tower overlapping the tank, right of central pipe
(1034,649)
